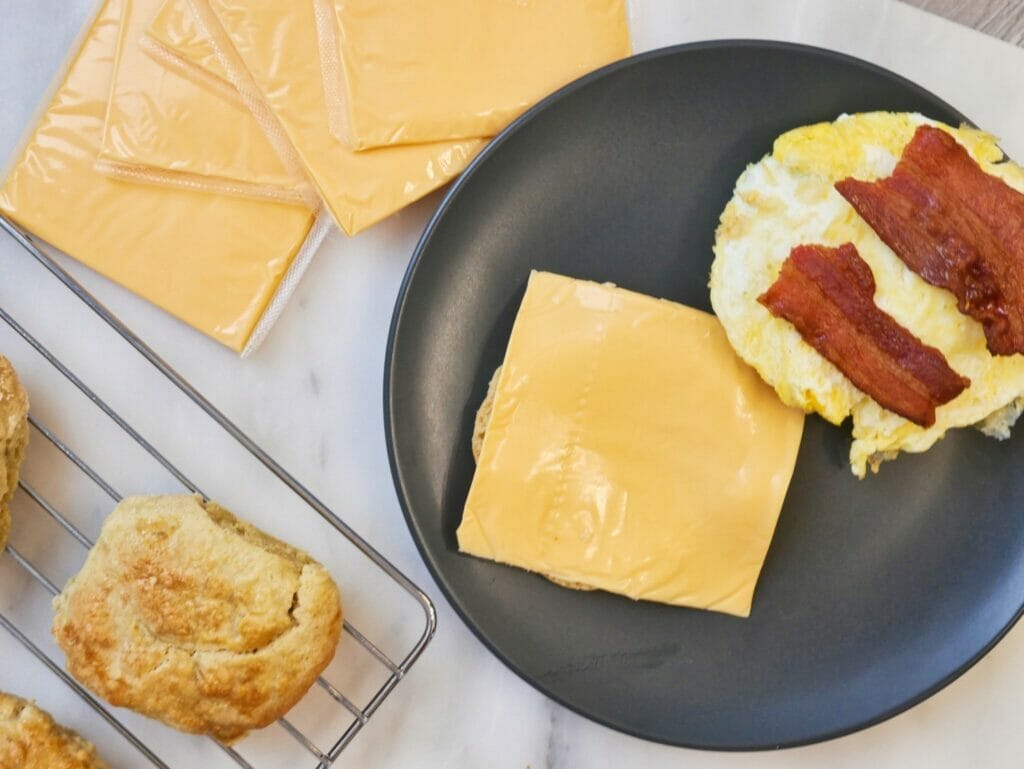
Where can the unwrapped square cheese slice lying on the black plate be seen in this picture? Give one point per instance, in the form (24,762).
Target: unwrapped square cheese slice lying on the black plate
(630,450)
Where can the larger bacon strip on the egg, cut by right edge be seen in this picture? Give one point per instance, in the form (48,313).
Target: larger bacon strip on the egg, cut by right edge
(957,227)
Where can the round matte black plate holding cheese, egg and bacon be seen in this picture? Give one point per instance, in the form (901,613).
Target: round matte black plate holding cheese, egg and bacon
(876,593)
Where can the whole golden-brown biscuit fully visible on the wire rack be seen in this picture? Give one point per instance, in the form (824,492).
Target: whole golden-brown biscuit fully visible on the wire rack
(190,616)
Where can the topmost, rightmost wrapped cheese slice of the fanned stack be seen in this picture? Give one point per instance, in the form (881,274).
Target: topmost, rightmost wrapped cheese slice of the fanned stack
(400,72)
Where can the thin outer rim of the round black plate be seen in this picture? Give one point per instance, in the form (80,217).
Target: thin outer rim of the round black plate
(389,389)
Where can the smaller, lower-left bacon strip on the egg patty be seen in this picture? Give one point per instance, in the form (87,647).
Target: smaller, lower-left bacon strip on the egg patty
(829,295)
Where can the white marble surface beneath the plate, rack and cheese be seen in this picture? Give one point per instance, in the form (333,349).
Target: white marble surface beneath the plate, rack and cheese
(313,398)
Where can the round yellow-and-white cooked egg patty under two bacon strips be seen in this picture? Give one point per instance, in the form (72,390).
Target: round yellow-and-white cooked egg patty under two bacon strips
(788,199)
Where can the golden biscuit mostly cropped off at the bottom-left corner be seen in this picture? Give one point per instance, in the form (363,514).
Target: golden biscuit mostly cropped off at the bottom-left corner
(30,739)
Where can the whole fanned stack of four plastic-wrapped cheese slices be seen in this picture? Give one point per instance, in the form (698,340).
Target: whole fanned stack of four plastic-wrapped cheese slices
(195,151)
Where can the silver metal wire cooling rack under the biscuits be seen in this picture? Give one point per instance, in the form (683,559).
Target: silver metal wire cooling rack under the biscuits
(393,671)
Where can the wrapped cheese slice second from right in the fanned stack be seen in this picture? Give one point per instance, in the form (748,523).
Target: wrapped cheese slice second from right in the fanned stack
(270,53)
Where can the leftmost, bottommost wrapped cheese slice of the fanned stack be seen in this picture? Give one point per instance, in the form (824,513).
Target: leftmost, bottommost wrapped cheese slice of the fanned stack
(212,261)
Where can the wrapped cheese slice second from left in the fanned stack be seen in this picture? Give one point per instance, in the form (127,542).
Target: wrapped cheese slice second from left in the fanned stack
(164,129)
